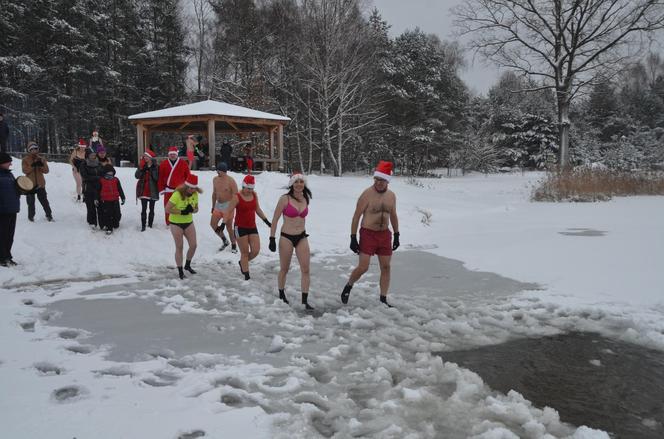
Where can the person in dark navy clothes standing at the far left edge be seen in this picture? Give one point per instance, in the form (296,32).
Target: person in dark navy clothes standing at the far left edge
(10,205)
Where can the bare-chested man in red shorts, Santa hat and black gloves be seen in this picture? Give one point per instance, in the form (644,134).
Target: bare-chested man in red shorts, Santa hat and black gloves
(377,206)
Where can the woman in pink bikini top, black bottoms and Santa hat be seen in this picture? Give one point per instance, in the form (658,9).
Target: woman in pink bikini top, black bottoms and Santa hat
(294,206)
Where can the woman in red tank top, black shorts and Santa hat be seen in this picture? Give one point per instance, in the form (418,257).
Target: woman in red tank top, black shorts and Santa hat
(246,207)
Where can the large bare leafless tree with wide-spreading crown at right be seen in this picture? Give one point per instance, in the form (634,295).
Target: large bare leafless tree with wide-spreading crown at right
(563,43)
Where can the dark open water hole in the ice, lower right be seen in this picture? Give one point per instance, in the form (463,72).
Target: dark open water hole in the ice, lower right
(590,380)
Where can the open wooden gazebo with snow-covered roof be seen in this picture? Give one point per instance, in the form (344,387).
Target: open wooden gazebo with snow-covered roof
(209,118)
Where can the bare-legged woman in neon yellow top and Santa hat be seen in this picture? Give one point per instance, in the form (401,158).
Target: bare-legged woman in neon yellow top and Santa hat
(181,205)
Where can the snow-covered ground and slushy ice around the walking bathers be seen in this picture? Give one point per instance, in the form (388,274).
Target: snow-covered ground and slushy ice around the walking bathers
(100,339)
